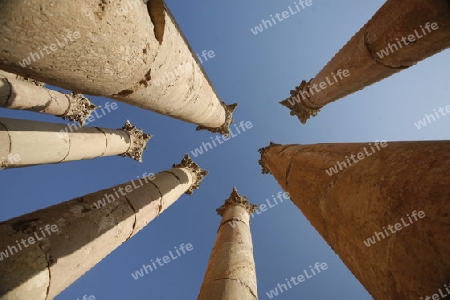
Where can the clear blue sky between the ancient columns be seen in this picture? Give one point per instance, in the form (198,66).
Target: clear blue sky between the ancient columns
(256,71)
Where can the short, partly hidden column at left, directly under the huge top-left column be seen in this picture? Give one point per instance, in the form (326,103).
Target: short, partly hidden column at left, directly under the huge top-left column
(16,92)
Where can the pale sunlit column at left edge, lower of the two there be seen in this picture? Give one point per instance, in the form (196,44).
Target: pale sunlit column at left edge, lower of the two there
(26,143)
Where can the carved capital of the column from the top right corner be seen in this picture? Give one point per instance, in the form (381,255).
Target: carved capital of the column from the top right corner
(296,103)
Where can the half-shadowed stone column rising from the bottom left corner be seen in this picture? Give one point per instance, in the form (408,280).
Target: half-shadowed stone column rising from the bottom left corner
(57,245)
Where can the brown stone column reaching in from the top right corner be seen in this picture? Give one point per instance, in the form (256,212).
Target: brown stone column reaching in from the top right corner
(398,36)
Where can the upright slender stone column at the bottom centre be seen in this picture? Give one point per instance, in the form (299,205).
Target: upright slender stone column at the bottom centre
(231,269)
